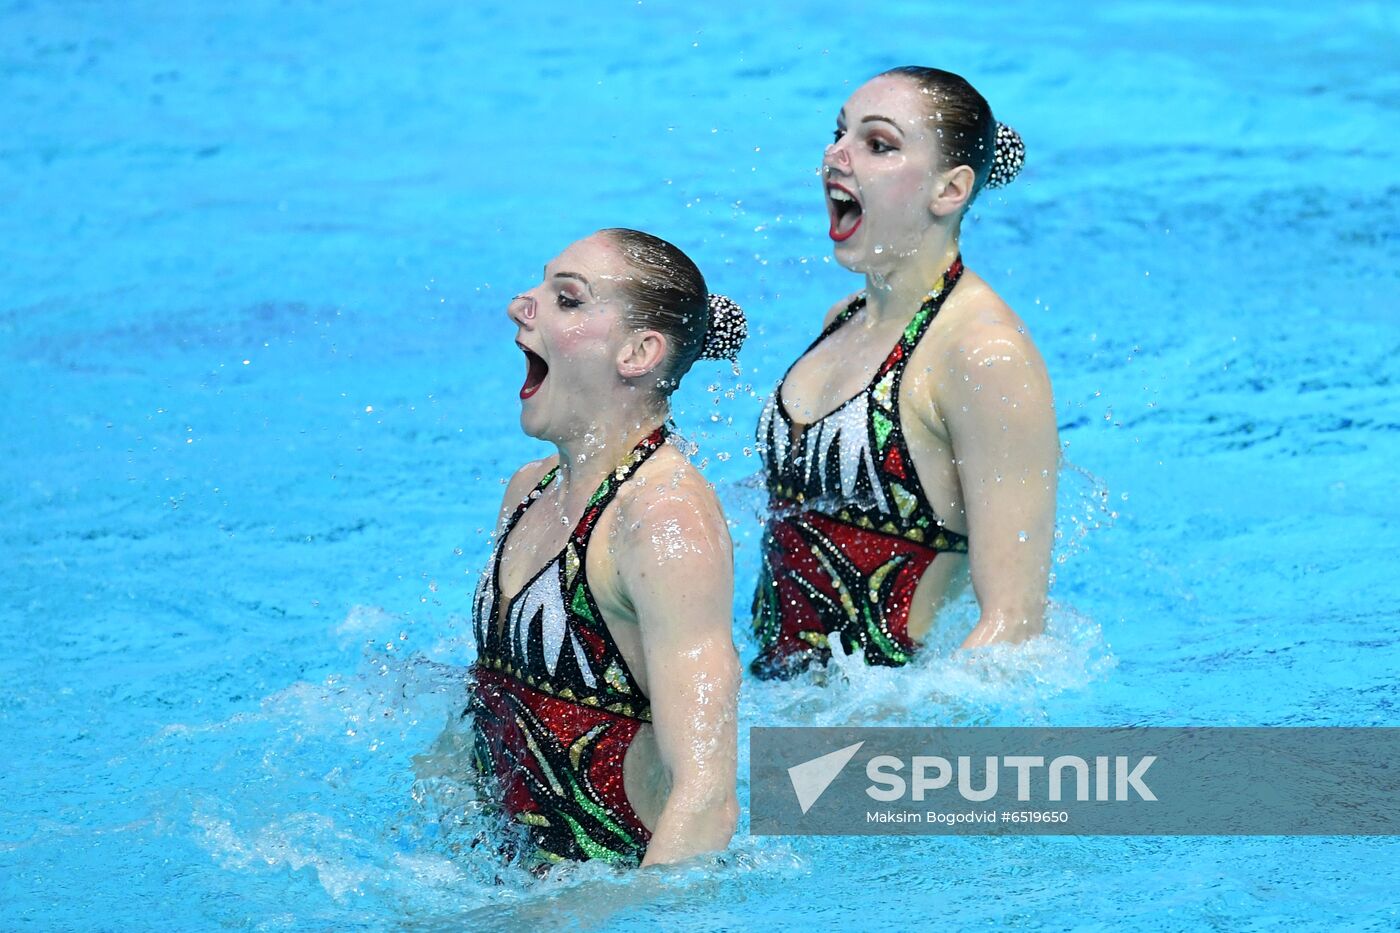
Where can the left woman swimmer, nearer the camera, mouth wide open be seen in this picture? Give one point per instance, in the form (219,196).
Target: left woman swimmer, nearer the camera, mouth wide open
(604,696)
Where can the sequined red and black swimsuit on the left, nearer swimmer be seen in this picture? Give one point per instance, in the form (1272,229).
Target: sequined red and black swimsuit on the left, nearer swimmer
(555,707)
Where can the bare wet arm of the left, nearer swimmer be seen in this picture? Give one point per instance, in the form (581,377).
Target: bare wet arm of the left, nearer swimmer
(675,564)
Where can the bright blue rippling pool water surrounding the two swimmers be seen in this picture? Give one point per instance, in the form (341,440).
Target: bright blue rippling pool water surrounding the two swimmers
(260,400)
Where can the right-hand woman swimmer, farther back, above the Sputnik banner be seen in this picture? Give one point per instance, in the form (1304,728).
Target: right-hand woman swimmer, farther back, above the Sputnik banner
(915,443)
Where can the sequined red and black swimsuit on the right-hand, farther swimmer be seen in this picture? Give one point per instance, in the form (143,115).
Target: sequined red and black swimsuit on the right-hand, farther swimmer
(850,532)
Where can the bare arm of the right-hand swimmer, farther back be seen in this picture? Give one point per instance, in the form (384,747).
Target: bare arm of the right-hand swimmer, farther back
(1000,418)
